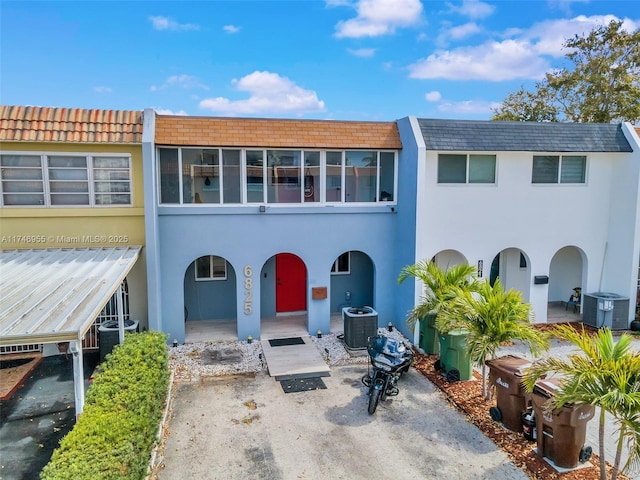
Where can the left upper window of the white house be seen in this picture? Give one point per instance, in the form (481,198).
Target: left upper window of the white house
(463,168)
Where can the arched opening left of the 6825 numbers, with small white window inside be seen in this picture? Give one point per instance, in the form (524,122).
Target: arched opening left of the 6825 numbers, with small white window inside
(210,300)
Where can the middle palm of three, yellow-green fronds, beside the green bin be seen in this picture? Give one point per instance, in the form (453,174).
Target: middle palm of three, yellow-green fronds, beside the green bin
(492,316)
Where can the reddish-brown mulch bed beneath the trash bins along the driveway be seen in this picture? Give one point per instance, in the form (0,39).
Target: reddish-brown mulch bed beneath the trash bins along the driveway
(467,397)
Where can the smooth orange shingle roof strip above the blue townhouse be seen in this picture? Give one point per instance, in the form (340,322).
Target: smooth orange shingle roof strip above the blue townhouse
(246,132)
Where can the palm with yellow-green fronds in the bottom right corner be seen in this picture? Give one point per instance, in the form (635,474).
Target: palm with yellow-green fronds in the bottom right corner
(605,374)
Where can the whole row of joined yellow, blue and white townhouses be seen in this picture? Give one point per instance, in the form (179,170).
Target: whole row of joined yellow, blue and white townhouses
(248,221)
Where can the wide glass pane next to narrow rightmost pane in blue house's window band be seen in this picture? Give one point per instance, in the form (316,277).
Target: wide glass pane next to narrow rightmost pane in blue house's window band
(360,176)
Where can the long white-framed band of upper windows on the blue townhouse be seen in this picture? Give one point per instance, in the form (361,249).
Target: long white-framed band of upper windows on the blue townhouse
(264,176)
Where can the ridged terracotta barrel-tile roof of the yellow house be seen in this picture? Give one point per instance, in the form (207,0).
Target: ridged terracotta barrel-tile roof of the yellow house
(45,124)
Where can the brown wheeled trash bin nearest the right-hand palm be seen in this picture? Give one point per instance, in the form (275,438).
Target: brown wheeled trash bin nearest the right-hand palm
(561,433)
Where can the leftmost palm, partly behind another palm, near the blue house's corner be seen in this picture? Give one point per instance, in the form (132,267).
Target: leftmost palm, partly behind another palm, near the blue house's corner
(440,286)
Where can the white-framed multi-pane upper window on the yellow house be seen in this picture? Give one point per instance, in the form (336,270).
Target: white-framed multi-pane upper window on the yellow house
(55,180)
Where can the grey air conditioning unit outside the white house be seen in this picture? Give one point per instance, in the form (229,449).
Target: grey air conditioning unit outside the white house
(602,309)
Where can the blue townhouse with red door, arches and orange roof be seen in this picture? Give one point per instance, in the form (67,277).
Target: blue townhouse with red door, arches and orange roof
(251,219)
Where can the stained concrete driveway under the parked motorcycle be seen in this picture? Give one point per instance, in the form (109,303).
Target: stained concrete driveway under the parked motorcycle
(246,427)
